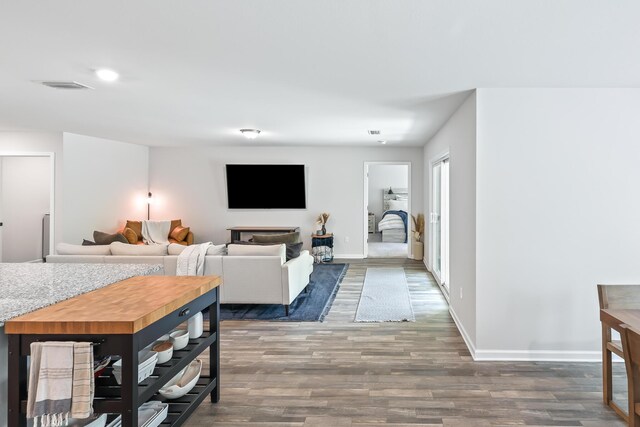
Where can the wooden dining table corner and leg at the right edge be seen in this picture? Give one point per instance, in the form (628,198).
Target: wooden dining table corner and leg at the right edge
(614,319)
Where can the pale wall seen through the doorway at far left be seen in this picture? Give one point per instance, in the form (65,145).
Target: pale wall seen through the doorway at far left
(25,199)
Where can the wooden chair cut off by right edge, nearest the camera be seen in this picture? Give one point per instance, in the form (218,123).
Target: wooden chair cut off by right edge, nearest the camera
(631,348)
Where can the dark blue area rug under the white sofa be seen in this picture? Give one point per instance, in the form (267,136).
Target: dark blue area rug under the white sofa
(311,306)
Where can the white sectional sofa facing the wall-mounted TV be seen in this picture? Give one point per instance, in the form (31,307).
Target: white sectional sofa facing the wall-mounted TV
(250,274)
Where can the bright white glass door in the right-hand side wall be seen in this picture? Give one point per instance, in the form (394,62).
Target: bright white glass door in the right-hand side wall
(439,221)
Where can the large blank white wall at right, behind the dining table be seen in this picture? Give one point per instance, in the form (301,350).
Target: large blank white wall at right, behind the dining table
(557,213)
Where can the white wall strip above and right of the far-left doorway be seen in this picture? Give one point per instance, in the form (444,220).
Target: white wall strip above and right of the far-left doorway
(40,142)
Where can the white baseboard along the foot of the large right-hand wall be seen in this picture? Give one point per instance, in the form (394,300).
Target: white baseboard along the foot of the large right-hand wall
(538,356)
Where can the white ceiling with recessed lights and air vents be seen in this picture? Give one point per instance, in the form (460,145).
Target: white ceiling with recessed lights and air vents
(302,71)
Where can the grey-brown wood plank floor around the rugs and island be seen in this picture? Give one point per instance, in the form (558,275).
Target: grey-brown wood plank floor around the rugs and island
(341,373)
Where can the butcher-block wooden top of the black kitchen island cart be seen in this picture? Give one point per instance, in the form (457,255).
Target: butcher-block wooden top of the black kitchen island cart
(121,308)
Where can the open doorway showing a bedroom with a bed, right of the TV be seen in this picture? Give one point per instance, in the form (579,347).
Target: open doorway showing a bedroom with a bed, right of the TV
(387,209)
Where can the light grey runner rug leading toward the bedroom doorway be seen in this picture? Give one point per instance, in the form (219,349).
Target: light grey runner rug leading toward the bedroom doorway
(385,297)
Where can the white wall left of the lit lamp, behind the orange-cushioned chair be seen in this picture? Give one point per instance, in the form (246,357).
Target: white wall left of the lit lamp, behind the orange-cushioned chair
(105,183)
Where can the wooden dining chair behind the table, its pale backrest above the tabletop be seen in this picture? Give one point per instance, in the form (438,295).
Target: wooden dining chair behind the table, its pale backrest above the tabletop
(614,297)
